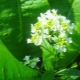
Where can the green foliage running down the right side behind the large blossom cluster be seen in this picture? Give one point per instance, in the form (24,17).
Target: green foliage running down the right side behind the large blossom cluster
(69,8)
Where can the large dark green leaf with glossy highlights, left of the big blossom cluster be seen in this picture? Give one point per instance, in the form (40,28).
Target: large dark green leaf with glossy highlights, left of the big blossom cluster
(15,19)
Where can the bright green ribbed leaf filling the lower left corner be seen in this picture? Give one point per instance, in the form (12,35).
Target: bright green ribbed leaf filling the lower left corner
(12,69)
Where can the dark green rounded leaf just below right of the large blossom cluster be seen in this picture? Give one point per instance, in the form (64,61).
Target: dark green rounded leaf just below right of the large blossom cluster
(68,57)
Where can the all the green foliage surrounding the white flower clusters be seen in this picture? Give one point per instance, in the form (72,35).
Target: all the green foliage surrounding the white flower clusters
(15,19)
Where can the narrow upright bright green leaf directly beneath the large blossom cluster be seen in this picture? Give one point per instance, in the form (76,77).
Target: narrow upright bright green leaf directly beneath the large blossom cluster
(47,55)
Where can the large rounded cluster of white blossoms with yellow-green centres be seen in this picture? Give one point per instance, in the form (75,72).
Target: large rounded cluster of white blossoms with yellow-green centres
(53,27)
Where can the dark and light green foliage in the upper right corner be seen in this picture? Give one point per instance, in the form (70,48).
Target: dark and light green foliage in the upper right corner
(69,8)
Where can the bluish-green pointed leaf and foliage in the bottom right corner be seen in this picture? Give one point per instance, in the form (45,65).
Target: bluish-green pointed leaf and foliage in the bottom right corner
(69,74)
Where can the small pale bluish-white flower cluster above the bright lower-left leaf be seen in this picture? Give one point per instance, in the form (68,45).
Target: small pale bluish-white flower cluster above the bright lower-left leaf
(31,62)
